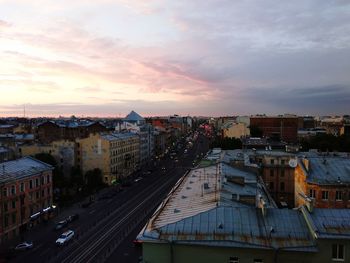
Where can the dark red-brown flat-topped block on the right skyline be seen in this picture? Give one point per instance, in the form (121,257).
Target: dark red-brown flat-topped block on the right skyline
(284,128)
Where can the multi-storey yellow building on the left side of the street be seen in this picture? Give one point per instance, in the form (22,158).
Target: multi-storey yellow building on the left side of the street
(116,154)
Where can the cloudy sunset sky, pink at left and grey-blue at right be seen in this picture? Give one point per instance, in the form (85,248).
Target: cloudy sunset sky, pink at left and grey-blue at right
(162,57)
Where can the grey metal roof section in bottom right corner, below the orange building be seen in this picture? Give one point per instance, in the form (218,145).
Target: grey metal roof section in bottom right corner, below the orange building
(332,223)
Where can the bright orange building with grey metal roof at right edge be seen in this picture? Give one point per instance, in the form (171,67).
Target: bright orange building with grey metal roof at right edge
(323,179)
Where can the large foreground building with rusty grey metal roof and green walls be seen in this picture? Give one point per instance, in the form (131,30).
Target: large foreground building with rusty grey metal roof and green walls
(217,214)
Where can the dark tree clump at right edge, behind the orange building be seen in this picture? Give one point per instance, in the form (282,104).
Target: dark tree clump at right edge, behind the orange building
(327,142)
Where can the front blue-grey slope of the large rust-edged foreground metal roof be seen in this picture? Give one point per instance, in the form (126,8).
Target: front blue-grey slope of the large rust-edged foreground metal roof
(240,227)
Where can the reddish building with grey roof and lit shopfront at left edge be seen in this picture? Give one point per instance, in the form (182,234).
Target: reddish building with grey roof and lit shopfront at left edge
(25,195)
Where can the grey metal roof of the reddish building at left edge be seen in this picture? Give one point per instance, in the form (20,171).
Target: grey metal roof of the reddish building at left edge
(21,168)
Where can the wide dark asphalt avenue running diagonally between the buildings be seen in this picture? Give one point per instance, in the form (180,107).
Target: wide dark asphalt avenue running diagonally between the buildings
(105,230)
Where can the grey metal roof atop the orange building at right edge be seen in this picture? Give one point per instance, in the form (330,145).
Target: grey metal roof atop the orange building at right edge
(329,170)
